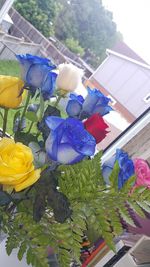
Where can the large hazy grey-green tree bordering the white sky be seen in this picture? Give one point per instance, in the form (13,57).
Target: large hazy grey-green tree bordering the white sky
(88,22)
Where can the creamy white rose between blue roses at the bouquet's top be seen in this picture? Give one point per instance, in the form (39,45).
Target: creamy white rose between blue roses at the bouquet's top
(69,77)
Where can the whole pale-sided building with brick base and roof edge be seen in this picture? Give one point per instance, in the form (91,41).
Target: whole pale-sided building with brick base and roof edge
(125,77)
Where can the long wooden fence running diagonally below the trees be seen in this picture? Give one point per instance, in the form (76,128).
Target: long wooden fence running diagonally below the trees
(56,51)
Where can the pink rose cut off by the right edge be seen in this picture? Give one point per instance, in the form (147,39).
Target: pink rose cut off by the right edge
(142,172)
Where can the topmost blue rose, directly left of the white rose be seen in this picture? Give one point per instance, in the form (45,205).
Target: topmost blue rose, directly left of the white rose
(38,73)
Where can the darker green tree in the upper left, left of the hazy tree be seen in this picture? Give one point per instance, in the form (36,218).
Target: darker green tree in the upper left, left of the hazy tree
(40,13)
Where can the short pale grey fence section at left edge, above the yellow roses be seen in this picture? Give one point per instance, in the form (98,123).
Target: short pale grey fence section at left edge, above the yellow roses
(10,45)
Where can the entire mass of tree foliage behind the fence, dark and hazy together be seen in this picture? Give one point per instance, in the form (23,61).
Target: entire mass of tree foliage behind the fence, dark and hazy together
(80,24)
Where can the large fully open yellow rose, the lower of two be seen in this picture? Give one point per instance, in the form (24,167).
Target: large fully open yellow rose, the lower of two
(16,165)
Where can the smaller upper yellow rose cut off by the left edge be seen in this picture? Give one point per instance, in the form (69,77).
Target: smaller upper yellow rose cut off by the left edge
(10,91)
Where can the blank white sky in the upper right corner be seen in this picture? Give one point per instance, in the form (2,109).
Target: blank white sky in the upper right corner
(133,21)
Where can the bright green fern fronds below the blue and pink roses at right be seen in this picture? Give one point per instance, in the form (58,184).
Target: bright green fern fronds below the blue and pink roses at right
(103,207)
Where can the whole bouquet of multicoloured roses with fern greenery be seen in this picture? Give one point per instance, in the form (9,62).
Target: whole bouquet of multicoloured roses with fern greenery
(52,185)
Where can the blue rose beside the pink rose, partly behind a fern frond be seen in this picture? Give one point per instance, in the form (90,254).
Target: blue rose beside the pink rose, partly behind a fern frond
(126,167)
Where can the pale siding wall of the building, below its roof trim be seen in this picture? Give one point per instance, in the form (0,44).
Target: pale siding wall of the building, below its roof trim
(127,82)
